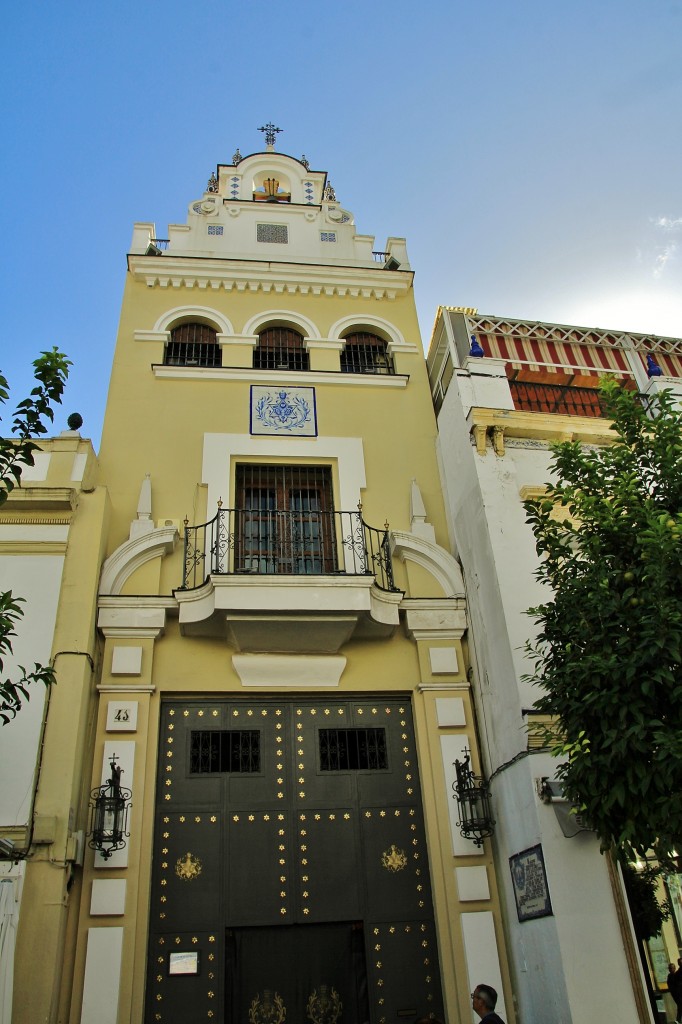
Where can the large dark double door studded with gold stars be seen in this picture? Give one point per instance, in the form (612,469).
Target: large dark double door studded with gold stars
(290,860)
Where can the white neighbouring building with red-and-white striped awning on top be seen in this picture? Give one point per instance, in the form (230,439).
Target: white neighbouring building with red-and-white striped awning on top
(498,413)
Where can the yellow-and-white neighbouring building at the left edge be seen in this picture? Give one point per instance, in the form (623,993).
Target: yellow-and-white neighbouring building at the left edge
(55,513)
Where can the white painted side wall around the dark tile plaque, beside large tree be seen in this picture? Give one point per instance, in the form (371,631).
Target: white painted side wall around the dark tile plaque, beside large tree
(570,967)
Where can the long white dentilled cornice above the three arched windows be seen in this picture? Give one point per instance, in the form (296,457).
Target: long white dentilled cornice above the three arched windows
(303,279)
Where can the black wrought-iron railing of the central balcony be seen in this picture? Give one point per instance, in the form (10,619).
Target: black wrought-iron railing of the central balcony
(257,542)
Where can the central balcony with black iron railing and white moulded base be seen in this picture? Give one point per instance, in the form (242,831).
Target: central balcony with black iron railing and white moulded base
(288,581)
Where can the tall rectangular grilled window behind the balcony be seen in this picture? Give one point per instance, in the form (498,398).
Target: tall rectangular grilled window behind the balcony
(285,521)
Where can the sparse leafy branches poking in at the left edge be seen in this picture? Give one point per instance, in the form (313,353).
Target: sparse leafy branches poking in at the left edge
(29,422)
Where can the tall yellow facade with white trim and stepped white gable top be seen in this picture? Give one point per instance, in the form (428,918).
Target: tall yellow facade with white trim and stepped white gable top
(177,441)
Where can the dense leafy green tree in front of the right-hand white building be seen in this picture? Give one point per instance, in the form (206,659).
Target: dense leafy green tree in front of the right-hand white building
(609,649)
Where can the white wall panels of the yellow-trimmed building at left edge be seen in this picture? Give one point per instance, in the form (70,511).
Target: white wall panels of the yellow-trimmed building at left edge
(37,579)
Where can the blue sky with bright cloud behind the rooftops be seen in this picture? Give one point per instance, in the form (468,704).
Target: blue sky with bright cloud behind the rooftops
(529,152)
